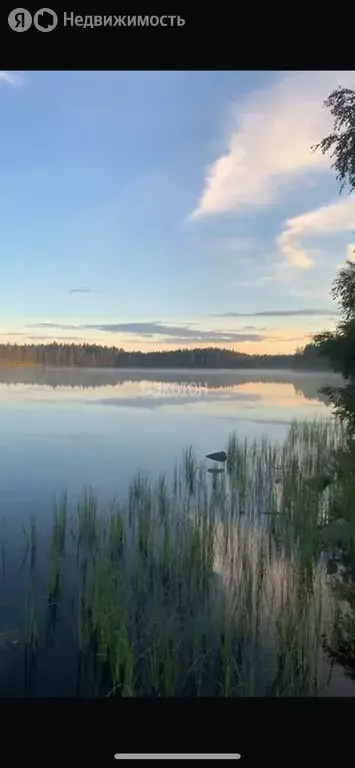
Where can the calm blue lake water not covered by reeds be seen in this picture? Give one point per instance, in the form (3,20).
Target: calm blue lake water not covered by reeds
(70,429)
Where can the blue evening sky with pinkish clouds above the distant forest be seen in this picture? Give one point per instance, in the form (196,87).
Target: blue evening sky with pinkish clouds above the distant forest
(156,210)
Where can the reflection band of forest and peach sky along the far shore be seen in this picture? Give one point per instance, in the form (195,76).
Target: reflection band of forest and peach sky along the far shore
(260,397)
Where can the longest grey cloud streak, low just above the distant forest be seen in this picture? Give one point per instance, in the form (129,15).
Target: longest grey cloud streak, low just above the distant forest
(179,334)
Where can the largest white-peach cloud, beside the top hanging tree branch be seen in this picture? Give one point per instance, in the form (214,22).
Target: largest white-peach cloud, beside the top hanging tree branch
(275,129)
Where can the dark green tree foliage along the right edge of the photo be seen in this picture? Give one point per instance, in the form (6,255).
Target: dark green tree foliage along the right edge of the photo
(339,348)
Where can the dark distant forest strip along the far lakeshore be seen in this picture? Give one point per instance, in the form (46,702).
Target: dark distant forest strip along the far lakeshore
(91,355)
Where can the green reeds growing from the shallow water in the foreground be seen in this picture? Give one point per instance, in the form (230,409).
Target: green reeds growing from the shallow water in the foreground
(205,586)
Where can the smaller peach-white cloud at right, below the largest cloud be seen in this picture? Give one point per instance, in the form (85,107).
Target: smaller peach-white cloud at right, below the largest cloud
(327,220)
